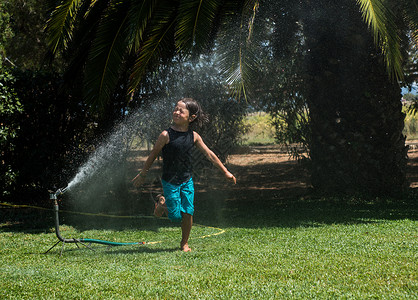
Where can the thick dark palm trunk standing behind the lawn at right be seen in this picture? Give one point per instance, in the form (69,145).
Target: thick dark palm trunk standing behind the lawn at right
(357,146)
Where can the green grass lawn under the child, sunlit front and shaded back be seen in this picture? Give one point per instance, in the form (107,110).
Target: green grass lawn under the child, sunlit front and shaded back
(301,251)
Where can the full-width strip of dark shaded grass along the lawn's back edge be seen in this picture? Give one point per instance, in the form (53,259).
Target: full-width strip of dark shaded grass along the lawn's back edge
(223,208)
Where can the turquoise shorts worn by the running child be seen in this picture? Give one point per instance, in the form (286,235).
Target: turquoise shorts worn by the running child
(179,199)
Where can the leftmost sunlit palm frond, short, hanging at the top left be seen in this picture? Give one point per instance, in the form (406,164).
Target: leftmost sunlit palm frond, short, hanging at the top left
(61,24)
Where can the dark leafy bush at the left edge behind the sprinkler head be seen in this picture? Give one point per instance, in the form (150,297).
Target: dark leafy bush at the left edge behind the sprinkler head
(44,129)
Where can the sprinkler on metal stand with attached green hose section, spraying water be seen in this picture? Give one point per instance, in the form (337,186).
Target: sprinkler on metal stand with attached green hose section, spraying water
(54,196)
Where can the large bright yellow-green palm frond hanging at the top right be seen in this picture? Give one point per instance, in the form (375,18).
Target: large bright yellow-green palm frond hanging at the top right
(386,34)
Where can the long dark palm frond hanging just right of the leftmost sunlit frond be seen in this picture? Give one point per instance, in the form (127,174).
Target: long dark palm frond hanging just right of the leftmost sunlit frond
(106,54)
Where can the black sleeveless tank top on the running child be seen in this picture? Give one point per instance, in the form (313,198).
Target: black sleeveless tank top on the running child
(177,156)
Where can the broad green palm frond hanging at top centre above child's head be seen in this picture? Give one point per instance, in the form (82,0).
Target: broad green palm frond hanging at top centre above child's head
(195,24)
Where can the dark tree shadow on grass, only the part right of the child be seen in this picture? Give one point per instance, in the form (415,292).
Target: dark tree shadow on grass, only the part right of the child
(300,213)
